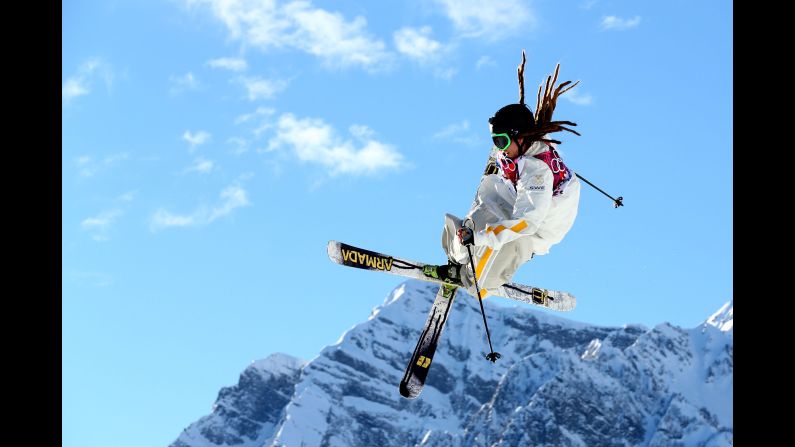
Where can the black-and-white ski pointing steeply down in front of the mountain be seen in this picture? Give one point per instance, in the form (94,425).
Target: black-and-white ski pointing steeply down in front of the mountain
(417,370)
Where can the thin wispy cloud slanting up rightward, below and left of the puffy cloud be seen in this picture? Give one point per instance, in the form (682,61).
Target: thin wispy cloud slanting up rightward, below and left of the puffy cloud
(231,198)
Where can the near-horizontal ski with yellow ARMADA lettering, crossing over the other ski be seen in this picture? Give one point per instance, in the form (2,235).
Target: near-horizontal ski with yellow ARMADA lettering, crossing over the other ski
(351,256)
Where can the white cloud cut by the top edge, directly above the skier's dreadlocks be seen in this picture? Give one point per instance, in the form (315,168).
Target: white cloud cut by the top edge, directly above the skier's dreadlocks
(492,21)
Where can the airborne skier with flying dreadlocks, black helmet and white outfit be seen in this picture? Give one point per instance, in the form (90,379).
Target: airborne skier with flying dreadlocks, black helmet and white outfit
(526,202)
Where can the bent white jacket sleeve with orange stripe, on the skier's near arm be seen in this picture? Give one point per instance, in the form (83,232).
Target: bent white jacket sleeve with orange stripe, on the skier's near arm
(533,199)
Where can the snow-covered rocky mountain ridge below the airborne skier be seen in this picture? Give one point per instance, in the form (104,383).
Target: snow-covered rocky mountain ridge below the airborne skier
(558,383)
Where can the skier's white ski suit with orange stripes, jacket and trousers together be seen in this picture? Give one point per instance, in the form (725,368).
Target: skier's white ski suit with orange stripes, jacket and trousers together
(512,223)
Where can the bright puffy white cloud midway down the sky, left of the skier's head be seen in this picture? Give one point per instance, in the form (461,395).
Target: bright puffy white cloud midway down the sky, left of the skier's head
(320,144)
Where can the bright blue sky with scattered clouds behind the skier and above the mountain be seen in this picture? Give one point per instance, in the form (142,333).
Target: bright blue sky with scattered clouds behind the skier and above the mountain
(211,149)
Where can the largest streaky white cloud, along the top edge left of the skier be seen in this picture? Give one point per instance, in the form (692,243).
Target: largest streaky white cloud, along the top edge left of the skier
(299,25)
